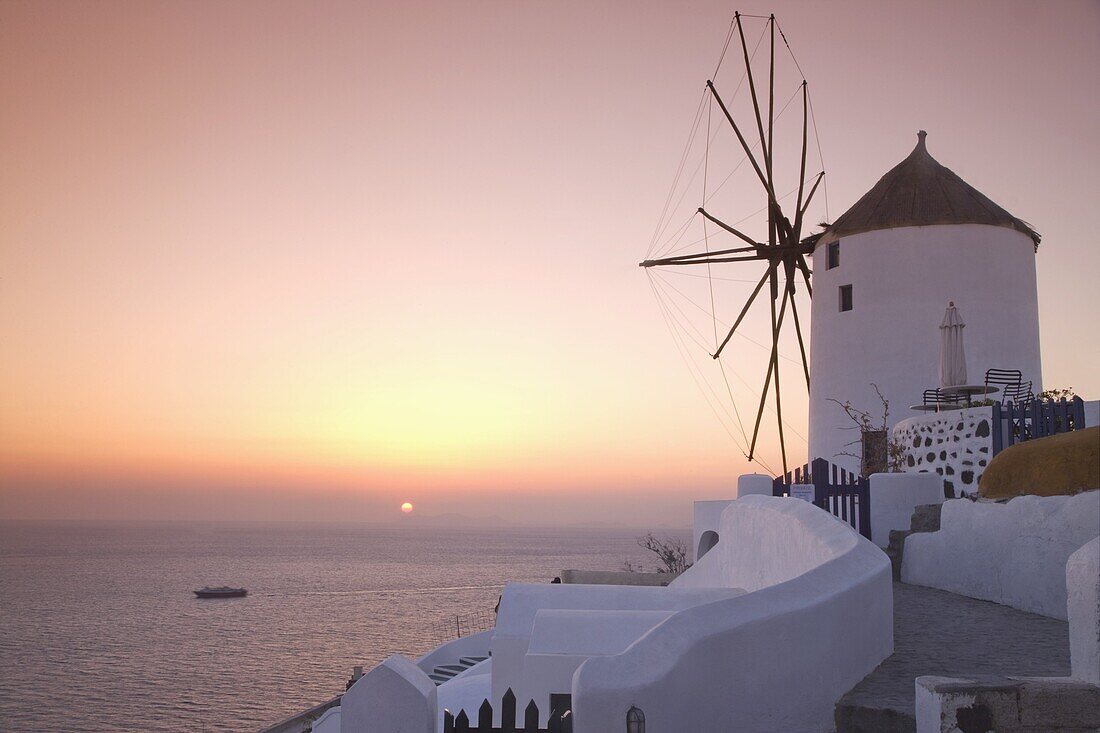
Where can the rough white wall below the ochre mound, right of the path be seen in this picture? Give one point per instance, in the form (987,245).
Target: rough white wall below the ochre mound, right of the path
(1014,554)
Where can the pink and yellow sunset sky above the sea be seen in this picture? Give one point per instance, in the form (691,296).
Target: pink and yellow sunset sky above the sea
(313,260)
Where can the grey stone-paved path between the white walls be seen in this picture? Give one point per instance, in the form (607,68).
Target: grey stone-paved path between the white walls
(941,633)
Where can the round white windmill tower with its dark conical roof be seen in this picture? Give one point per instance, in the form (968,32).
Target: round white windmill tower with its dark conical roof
(885,271)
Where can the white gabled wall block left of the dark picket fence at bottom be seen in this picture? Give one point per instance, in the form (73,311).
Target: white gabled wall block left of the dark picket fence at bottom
(395,697)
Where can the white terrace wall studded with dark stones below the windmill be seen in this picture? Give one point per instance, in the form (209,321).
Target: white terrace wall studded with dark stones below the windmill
(955,445)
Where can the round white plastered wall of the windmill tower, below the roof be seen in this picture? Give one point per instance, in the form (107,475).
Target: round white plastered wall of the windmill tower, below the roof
(903,280)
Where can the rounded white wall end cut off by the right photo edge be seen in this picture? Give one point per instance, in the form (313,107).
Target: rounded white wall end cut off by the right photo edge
(1083,583)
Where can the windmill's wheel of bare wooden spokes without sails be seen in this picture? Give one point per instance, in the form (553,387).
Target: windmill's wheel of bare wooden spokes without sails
(785,253)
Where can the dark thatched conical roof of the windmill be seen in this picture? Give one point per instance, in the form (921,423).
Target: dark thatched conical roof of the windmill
(920,192)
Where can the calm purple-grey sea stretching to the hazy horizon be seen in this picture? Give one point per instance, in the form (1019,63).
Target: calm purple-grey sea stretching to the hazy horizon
(100,630)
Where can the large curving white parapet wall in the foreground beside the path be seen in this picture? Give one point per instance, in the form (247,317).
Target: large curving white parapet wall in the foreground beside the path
(774,660)
